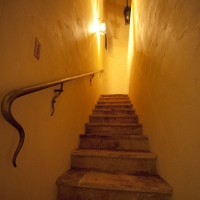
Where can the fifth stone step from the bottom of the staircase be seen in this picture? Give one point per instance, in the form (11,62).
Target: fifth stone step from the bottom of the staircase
(113,119)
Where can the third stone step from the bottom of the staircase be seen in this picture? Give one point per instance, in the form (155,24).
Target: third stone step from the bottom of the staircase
(114,142)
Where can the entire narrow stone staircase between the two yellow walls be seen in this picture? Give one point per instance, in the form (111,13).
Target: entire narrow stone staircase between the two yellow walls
(113,161)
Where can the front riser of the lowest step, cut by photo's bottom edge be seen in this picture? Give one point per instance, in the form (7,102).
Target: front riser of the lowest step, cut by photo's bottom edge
(83,193)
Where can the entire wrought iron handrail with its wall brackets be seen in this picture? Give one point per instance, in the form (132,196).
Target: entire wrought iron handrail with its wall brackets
(11,96)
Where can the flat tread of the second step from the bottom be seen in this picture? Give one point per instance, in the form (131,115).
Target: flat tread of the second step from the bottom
(110,153)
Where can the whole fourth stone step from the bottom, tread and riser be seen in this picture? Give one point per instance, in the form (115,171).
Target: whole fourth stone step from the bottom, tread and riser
(113,128)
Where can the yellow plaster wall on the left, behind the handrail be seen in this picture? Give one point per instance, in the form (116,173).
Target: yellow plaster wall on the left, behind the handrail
(67,49)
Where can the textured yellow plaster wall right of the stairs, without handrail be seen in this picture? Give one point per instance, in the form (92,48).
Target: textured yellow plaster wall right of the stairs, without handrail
(165,87)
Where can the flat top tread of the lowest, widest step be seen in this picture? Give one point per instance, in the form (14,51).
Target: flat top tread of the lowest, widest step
(114,181)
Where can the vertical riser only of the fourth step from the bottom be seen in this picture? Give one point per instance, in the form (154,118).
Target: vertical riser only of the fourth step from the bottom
(110,130)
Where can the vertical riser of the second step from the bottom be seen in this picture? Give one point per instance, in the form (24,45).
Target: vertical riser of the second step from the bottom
(114,164)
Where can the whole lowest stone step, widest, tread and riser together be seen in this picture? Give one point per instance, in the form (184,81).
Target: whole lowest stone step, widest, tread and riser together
(93,185)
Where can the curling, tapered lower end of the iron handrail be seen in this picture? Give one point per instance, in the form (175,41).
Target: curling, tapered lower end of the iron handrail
(6,111)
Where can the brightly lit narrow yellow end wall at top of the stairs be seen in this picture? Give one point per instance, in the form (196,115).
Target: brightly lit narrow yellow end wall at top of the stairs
(115,58)
